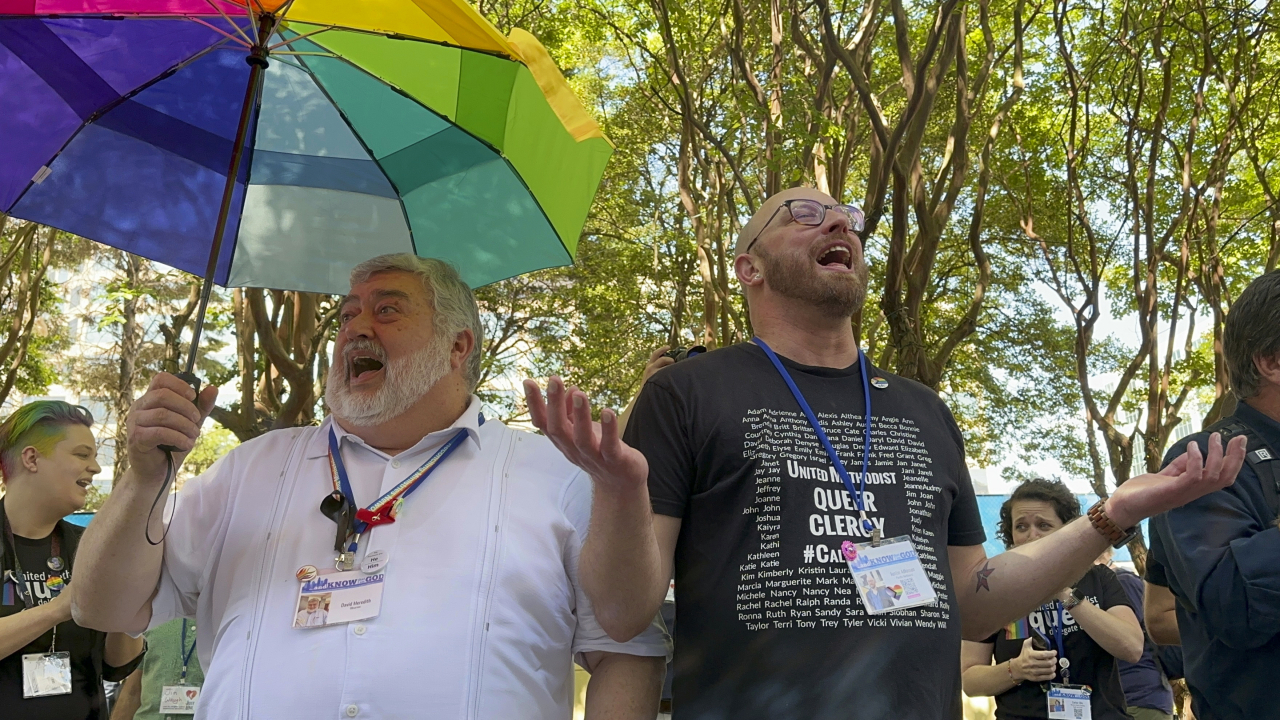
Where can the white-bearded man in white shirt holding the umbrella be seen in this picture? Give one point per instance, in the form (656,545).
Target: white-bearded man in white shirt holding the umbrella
(452,598)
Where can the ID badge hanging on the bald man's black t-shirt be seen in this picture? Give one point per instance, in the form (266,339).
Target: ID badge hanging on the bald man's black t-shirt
(890,576)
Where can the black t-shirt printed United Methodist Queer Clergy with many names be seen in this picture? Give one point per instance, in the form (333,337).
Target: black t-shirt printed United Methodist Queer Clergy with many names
(771,625)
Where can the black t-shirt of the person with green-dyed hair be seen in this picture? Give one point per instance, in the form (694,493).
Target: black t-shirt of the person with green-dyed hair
(86,648)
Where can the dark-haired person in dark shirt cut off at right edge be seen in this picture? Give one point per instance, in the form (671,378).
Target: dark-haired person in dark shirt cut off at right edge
(1220,555)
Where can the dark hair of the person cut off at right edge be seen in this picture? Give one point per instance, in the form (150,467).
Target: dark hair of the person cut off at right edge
(1252,330)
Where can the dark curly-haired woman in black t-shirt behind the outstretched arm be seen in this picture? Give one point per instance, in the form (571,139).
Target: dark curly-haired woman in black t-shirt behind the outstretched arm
(1089,627)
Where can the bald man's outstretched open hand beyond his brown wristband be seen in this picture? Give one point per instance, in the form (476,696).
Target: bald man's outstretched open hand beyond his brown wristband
(1191,476)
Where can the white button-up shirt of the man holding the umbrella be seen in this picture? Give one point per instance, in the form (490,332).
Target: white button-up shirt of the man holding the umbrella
(482,612)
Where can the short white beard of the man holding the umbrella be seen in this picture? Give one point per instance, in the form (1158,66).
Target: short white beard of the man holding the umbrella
(406,381)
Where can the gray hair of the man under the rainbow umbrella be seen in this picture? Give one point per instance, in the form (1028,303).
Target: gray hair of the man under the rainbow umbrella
(451,298)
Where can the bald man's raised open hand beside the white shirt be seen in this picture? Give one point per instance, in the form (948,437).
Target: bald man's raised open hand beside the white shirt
(565,417)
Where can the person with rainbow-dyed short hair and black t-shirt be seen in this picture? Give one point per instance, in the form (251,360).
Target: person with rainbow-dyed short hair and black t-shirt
(49,458)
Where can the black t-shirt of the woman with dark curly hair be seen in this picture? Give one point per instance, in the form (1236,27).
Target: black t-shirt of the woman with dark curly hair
(1091,666)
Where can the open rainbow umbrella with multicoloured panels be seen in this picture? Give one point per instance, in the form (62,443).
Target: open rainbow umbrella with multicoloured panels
(278,144)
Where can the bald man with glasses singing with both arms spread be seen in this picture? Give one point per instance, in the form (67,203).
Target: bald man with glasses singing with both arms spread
(724,480)
